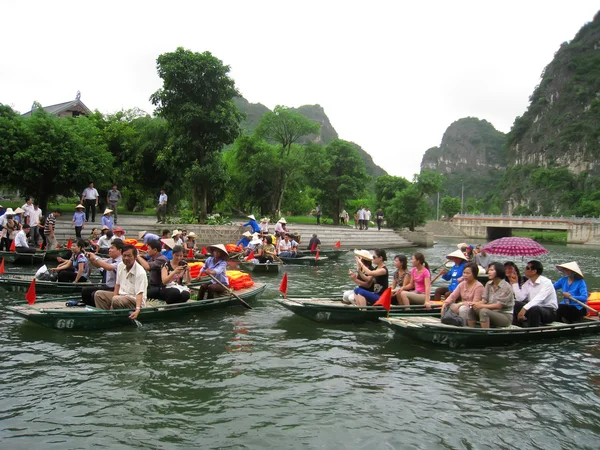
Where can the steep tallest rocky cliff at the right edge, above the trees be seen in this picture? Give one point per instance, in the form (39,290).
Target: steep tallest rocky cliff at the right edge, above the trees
(561,127)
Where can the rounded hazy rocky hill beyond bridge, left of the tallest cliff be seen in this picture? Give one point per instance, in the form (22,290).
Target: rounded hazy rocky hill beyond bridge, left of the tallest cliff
(471,154)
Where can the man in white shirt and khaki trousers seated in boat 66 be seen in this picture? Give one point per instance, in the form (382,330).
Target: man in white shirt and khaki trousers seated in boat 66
(130,290)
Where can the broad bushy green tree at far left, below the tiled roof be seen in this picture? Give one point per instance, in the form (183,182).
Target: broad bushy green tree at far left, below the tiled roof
(46,156)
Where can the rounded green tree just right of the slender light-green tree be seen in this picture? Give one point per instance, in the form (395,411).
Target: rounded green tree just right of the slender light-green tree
(340,175)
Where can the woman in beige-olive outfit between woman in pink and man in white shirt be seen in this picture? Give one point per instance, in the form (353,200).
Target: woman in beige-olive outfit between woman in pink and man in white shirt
(496,308)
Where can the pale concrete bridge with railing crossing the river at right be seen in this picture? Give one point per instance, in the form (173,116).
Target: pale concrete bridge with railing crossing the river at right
(580,230)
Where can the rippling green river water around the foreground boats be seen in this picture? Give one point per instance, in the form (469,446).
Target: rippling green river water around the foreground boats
(264,378)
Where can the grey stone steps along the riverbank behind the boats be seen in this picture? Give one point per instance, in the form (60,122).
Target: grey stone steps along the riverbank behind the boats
(208,234)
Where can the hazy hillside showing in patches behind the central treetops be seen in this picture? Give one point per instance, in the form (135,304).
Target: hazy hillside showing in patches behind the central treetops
(327,133)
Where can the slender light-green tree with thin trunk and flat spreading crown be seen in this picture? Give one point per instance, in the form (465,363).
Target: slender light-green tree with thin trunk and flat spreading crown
(285,127)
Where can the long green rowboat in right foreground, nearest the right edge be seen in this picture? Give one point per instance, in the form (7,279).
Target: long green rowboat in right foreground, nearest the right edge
(431,330)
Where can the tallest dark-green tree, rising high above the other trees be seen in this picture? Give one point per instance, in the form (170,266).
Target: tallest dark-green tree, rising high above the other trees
(196,99)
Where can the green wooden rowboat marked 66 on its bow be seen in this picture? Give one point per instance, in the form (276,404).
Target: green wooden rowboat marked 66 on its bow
(55,314)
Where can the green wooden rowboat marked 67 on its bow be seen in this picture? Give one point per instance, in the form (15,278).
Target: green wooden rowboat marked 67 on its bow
(326,310)
